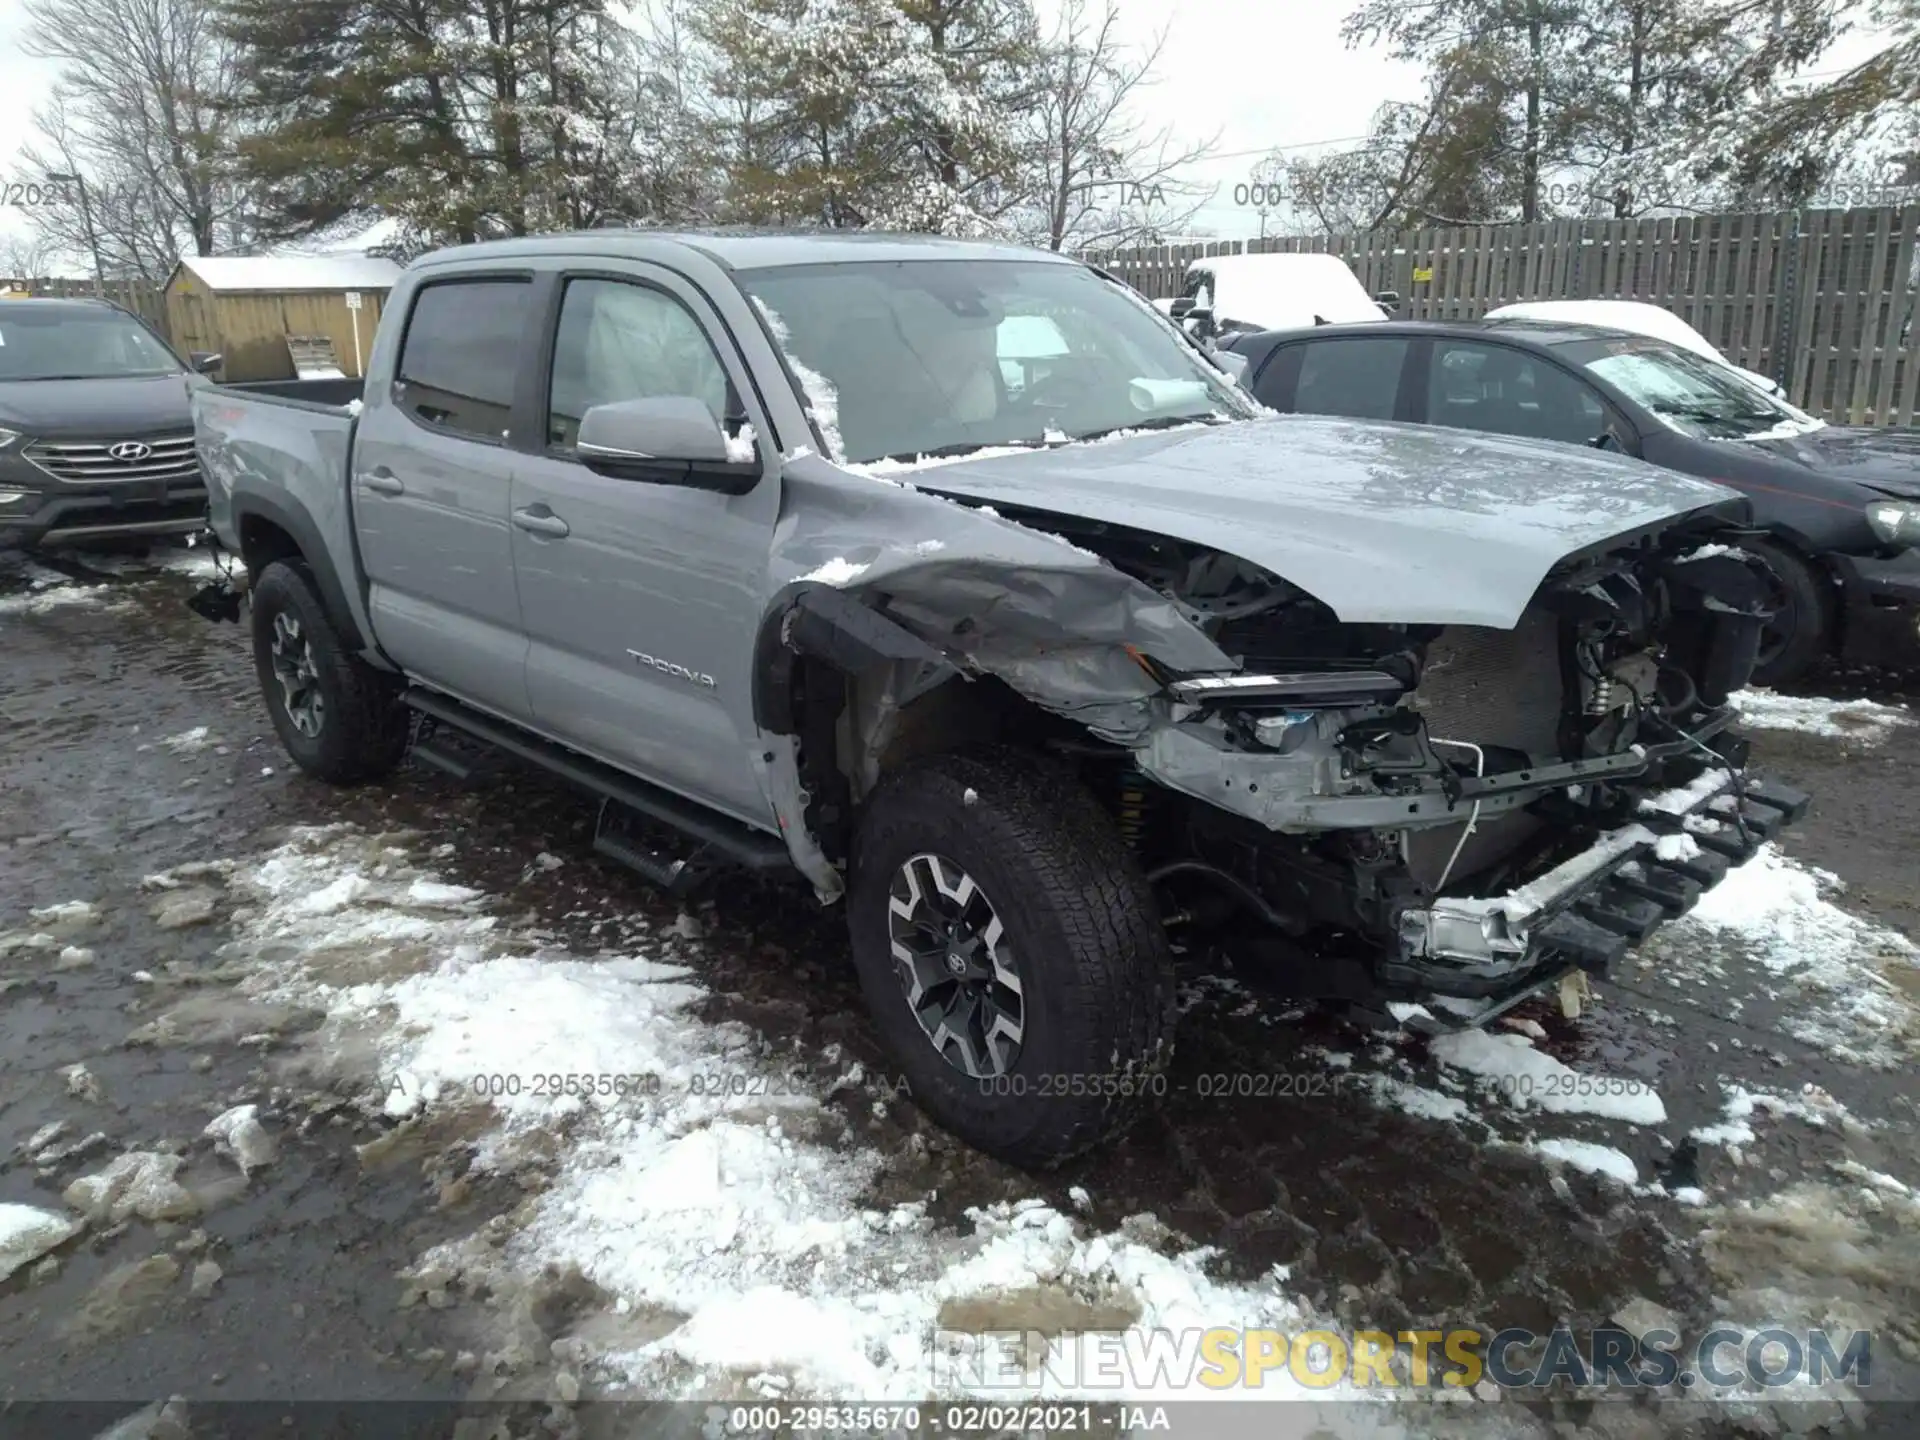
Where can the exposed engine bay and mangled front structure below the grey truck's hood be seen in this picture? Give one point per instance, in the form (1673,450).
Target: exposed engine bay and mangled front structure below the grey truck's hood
(1404,784)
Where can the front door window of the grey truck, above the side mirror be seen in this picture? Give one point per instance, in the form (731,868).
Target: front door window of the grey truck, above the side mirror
(621,341)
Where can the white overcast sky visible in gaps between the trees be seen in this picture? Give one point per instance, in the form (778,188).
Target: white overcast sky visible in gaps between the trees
(1259,74)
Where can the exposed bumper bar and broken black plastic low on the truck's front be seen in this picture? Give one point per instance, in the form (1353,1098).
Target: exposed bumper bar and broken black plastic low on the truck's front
(1487,955)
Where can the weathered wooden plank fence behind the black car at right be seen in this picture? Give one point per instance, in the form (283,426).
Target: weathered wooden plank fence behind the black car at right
(1821,300)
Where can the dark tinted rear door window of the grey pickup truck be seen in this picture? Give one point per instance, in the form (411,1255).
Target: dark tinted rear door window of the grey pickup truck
(462,352)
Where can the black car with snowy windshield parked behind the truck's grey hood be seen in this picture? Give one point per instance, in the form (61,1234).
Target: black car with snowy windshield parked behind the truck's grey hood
(1842,502)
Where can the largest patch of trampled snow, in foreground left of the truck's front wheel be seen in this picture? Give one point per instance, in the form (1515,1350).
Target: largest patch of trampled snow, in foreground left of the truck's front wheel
(698,1172)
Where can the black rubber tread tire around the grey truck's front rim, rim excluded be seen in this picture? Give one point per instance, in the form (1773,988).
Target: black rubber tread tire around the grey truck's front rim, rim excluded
(1086,934)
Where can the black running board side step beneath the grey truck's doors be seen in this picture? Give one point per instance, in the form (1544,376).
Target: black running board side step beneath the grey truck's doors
(621,798)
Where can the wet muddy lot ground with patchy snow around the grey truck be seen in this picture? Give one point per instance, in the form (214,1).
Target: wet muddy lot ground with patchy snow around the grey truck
(402,1095)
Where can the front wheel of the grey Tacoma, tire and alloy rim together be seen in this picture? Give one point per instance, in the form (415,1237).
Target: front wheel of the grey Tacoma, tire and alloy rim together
(1011,953)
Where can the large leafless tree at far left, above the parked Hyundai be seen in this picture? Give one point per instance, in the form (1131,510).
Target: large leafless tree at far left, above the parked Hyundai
(141,114)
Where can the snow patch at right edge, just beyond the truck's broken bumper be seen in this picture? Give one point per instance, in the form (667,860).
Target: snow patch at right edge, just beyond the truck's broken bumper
(1831,969)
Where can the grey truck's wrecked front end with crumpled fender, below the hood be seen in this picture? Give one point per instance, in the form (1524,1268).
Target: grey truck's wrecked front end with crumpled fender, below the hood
(1416,817)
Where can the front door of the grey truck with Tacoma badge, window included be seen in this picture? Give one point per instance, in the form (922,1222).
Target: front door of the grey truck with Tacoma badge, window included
(640,600)
